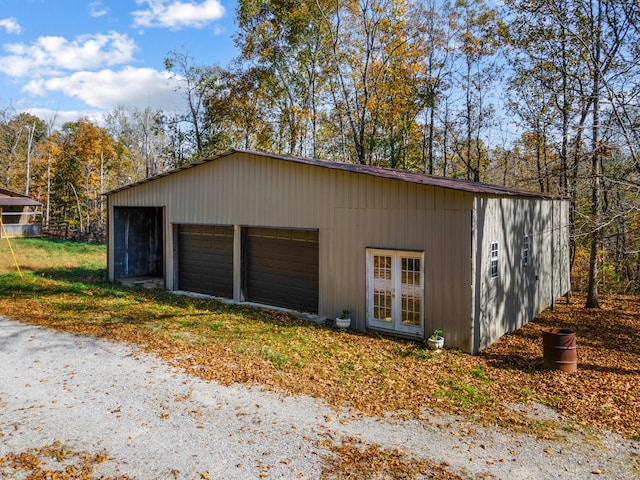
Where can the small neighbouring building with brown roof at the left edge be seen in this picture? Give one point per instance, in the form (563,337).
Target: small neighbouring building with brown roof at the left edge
(21,215)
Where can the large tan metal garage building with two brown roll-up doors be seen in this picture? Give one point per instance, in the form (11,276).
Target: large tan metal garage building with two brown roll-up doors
(405,252)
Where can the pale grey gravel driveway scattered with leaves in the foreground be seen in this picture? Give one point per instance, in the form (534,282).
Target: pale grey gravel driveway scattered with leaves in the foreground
(156,422)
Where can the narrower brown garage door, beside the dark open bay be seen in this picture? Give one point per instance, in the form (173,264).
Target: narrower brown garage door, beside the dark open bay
(205,259)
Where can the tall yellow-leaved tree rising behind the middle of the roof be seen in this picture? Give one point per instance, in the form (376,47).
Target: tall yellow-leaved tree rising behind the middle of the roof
(368,53)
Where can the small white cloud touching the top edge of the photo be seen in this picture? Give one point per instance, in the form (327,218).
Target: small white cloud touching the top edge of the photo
(175,14)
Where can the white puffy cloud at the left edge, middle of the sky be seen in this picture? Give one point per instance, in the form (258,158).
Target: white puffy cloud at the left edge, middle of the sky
(51,55)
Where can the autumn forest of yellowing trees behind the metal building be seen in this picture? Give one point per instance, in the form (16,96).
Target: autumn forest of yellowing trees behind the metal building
(533,94)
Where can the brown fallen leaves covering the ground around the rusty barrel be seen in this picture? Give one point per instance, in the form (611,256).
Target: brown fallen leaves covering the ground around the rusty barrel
(605,391)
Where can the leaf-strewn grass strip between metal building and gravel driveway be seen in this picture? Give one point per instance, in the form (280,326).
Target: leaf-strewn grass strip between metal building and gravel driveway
(65,287)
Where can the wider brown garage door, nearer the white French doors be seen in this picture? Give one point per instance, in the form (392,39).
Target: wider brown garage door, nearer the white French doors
(281,267)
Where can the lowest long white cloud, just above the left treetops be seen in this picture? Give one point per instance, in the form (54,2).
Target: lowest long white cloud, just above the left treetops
(135,87)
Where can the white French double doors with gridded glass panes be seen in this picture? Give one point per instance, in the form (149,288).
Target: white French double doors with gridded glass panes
(395,291)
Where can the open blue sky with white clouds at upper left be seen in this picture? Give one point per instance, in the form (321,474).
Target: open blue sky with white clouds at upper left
(64,59)
